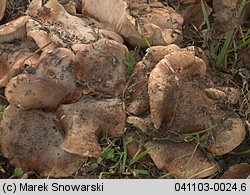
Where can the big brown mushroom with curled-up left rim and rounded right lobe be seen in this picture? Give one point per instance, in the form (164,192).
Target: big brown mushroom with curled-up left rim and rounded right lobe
(175,92)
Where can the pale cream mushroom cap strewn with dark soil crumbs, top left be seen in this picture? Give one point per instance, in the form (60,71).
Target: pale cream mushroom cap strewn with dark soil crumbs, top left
(58,26)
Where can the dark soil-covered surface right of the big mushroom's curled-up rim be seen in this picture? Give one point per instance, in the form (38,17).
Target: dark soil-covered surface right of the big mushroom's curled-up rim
(188,103)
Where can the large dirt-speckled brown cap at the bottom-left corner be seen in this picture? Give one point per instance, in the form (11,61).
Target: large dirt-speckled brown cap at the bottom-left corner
(31,139)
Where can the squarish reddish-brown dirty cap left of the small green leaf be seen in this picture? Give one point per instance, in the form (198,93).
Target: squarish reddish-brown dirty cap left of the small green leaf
(100,67)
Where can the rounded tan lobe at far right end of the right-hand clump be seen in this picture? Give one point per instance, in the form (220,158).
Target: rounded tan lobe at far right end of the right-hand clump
(228,134)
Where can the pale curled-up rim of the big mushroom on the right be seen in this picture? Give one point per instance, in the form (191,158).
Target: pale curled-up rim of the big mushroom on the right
(165,77)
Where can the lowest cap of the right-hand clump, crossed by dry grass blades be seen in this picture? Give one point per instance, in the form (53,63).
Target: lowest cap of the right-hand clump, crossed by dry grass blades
(182,160)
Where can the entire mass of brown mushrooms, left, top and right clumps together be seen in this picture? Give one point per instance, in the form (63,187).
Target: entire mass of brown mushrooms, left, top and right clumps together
(64,73)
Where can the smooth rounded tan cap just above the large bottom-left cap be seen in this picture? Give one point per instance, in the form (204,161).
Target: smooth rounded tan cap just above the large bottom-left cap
(28,91)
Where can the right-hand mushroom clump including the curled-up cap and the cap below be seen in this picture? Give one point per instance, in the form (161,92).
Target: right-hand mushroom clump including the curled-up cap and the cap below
(172,91)
